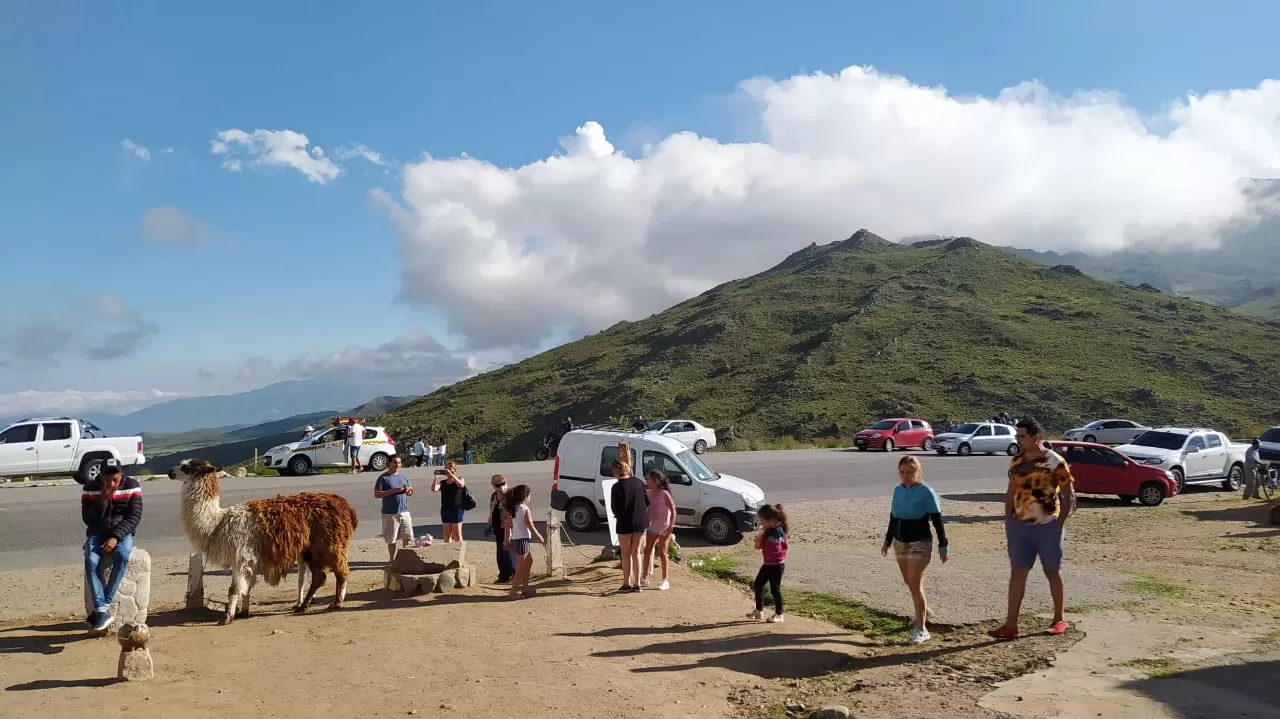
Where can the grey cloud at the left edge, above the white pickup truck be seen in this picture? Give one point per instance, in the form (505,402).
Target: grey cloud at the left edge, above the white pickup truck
(102,328)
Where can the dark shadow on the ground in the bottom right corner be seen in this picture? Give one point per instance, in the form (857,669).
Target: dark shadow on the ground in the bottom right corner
(1197,694)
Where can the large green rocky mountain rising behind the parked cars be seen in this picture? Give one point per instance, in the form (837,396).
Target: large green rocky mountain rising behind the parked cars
(843,335)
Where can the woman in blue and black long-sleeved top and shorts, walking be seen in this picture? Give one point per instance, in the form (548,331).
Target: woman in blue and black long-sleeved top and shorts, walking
(916,506)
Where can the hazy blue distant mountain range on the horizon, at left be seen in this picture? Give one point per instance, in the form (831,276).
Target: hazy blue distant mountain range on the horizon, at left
(227,413)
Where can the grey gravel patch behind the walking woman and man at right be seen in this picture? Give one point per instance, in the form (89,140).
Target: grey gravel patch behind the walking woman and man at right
(835,548)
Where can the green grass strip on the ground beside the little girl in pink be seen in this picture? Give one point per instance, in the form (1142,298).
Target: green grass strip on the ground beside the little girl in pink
(835,610)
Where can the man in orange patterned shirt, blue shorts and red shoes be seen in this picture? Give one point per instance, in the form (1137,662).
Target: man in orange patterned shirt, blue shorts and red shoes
(1039,501)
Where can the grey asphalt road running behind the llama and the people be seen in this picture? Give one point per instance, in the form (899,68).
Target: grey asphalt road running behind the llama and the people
(42,526)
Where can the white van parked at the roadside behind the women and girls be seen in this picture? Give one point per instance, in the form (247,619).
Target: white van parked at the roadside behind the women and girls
(723,506)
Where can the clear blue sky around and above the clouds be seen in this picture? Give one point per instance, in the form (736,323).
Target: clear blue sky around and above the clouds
(290,267)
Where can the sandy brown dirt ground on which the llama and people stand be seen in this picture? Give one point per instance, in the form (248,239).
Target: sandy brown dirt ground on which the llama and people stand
(1182,624)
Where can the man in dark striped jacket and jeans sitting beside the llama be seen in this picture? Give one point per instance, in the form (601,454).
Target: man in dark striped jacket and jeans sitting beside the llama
(112,510)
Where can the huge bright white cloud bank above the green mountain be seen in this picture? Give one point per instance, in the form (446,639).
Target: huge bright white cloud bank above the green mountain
(578,241)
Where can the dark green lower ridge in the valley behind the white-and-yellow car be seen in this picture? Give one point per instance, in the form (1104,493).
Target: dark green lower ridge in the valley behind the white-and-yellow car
(230,446)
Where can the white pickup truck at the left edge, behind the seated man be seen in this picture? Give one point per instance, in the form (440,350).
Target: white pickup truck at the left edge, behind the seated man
(62,446)
